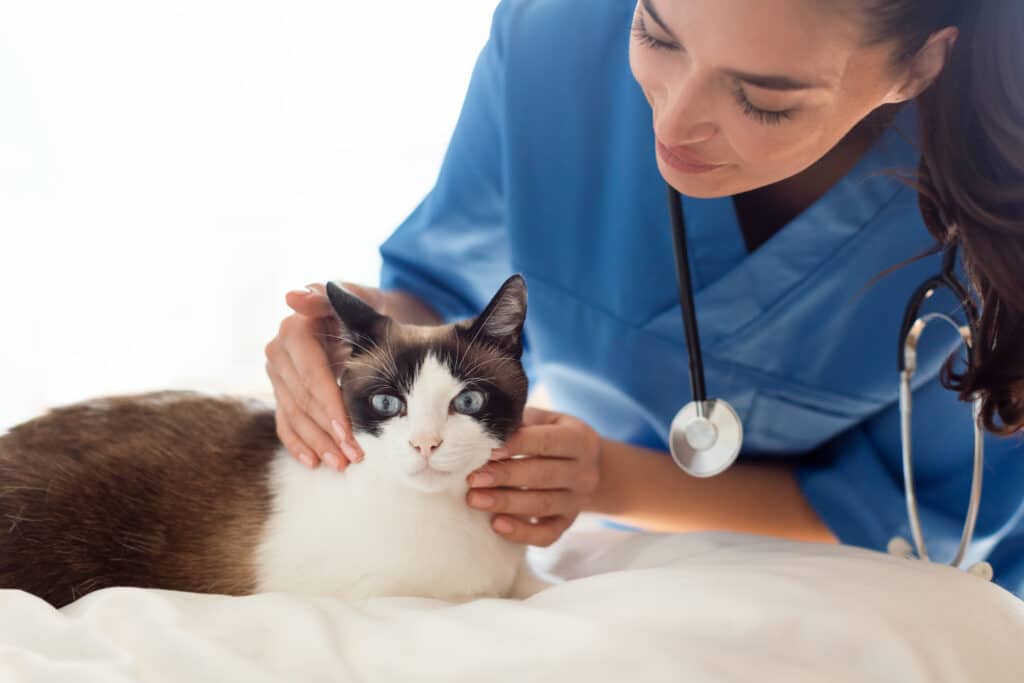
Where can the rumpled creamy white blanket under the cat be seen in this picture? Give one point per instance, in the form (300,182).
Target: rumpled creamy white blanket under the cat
(688,608)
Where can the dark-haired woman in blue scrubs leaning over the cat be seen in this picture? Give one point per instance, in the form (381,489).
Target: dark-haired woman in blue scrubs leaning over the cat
(781,123)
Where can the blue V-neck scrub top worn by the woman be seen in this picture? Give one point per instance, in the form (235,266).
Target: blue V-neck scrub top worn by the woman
(551,173)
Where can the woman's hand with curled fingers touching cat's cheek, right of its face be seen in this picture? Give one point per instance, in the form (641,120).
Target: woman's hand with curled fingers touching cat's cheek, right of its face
(551,486)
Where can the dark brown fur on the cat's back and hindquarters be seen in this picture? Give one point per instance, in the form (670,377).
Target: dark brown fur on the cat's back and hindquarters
(208,524)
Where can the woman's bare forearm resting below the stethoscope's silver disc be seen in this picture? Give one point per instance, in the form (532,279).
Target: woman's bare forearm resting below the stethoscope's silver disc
(645,488)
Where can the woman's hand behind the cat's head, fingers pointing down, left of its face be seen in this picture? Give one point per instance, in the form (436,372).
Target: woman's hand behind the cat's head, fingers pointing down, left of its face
(304,366)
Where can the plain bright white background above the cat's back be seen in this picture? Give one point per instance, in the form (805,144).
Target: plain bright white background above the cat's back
(169,169)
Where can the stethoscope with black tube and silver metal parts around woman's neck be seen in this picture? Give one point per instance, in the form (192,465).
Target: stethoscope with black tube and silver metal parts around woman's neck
(707,435)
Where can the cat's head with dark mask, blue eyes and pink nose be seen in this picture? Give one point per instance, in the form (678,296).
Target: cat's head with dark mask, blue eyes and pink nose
(429,405)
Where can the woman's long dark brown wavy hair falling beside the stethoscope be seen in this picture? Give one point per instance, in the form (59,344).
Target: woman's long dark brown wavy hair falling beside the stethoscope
(971,176)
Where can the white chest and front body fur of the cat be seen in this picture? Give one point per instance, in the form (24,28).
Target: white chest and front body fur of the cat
(357,535)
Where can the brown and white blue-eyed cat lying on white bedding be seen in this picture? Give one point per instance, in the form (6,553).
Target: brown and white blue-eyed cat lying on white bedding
(187,492)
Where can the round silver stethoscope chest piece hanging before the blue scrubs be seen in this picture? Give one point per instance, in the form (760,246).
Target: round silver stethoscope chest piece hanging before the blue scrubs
(705,439)
